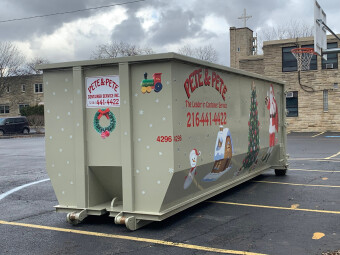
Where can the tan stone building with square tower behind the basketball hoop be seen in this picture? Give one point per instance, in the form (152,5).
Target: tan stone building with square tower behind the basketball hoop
(312,103)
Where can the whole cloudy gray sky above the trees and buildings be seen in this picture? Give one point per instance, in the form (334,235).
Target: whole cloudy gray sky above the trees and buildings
(163,25)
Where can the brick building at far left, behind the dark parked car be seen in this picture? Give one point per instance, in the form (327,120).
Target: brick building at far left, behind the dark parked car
(20,91)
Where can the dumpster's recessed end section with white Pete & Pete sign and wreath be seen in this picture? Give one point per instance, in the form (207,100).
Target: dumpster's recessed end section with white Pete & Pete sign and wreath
(103,151)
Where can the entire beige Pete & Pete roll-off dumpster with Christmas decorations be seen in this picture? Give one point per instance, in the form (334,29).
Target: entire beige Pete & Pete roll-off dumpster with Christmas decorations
(140,150)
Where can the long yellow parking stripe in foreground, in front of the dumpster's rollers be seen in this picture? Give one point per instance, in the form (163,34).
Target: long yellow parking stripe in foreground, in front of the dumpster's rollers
(130,238)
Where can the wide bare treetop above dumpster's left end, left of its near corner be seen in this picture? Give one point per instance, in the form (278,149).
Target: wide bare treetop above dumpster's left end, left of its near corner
(119,49)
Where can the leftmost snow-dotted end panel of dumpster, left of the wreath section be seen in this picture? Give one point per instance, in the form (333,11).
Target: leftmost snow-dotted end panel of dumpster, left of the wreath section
(61,128)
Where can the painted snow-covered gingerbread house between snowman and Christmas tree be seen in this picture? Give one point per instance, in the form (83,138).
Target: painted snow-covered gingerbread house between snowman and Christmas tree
(222,156)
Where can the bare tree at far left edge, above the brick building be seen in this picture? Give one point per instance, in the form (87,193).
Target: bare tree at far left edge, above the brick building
(12,63)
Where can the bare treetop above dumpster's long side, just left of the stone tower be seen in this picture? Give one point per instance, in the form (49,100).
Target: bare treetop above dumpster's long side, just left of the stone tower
(207,53)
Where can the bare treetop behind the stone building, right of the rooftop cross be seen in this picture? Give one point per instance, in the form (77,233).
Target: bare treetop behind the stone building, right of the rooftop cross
(290,30)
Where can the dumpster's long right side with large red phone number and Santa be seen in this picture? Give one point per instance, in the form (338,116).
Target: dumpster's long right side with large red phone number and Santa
(223,120)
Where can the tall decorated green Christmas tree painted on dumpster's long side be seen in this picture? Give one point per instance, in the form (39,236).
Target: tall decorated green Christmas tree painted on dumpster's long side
(253,135)
